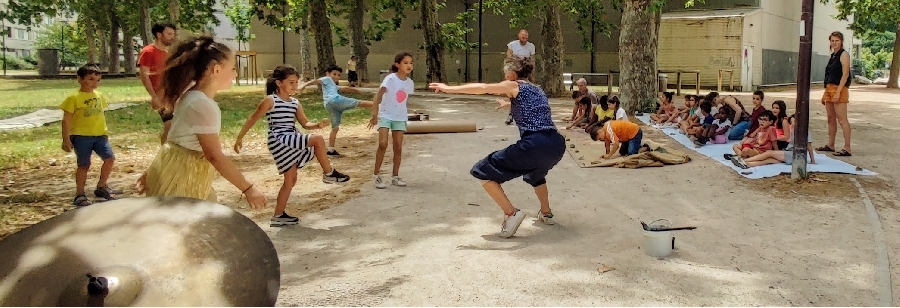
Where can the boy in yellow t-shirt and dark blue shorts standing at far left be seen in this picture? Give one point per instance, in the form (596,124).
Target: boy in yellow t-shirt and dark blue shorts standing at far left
(84,130)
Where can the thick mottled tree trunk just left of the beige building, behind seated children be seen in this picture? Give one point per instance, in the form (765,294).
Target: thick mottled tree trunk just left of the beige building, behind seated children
(637,55)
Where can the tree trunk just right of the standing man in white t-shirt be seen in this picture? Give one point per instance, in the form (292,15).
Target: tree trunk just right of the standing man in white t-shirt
(552,52)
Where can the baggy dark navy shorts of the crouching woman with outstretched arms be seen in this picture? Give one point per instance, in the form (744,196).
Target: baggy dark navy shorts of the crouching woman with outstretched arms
(531,157)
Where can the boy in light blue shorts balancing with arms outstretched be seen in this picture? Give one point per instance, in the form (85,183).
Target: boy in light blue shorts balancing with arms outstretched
(335,103)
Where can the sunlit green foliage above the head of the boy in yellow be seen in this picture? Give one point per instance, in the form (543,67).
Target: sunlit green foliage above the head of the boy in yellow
(70,42)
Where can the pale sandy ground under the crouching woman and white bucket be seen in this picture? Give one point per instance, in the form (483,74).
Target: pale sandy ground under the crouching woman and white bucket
(426,245)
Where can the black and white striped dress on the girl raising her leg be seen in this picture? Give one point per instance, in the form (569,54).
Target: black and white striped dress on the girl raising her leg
(288,146)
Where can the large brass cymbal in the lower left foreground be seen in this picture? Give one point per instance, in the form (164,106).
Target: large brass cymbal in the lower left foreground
(141,252)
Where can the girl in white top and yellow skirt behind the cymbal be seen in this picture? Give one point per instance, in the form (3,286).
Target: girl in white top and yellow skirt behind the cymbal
(187,163)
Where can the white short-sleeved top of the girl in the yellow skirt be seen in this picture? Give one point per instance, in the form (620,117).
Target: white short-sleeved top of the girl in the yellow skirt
(195,114)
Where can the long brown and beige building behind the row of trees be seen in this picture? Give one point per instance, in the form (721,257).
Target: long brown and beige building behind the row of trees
(757,39)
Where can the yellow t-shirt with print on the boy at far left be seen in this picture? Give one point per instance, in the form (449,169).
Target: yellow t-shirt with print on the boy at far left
(87,113)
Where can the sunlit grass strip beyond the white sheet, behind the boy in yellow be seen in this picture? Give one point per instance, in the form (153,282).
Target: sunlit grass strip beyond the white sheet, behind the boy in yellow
(18,97)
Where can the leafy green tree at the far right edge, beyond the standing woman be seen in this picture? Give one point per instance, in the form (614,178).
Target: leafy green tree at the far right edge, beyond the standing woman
(873,16)
